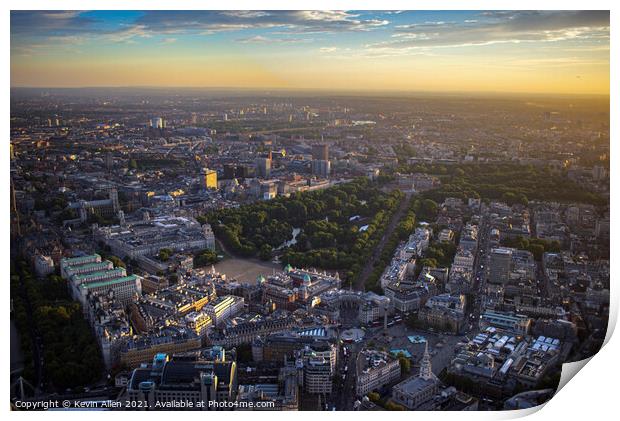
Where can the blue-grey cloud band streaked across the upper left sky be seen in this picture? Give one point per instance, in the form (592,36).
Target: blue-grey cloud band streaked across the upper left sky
(39,26)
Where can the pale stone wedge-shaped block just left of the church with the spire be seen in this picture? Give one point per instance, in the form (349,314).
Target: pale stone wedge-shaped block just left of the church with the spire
(375,369)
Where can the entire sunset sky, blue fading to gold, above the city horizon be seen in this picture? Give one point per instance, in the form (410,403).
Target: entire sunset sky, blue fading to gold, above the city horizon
(559,52)
